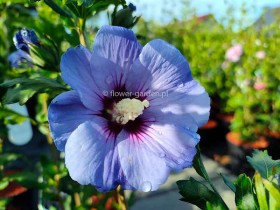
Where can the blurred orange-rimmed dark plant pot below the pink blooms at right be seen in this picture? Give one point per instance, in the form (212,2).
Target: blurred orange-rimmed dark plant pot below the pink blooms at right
(238,149)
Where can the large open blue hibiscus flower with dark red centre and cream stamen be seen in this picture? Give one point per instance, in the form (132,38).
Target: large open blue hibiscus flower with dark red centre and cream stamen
(132,115)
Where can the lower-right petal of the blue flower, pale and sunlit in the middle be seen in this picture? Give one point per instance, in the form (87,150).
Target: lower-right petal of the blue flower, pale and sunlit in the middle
(172,137)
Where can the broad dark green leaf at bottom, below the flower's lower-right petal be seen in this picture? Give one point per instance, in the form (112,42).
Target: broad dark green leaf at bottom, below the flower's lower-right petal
(198,194)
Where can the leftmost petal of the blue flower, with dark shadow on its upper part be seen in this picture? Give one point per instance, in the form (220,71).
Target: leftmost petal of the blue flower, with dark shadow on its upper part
(66,112)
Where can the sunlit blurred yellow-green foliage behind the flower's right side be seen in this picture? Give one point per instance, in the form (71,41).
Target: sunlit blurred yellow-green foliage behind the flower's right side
(247,88)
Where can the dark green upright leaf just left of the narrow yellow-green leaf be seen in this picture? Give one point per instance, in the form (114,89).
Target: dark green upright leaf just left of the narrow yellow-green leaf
(244,197)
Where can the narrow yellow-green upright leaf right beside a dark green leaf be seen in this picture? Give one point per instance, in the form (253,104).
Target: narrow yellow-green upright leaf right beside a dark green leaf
(260,191)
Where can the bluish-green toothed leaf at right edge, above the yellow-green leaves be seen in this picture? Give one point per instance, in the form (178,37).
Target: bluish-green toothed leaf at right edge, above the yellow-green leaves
(264,164)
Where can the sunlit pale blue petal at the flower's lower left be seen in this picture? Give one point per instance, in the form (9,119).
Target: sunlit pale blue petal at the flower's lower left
(91,156)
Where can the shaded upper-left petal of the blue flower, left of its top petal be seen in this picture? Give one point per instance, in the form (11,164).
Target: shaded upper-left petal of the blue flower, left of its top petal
(76,71)
